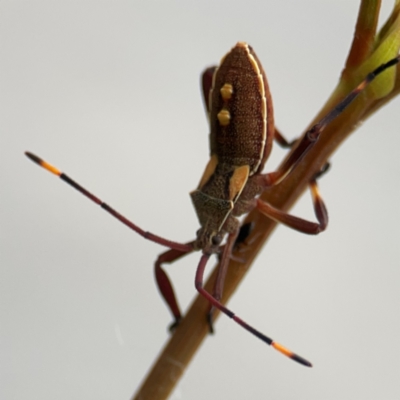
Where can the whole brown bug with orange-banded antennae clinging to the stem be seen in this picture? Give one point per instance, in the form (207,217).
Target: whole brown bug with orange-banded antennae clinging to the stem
(242,129)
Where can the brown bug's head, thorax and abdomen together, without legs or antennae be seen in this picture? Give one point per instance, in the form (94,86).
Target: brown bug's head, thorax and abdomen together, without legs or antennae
(240,113)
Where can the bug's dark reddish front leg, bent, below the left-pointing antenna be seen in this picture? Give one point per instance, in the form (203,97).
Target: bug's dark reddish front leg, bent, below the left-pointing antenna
(164,283)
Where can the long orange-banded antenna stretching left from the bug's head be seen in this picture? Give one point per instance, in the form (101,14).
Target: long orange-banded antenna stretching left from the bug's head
(104,206)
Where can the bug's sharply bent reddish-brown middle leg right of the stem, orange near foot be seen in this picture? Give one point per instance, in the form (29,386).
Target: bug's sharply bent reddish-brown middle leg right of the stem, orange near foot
(297,223)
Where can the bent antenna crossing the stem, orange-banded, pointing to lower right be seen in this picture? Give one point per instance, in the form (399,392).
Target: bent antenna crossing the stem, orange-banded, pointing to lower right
(230,314)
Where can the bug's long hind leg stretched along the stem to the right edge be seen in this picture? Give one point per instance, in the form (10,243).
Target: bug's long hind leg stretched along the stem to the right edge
(312,135)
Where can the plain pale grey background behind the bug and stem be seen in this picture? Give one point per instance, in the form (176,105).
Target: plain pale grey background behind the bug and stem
(109,93)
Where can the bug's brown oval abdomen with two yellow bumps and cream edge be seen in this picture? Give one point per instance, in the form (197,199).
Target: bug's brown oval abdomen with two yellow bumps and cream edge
(240,110)
